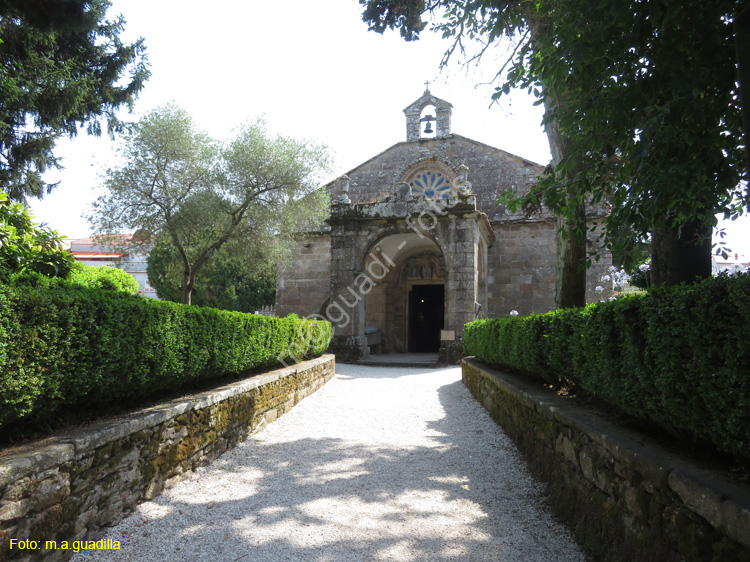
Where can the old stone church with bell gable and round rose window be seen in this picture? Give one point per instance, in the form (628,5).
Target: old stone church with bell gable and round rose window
(416,245)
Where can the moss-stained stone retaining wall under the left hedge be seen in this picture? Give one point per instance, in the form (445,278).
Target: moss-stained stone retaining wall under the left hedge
(71,486)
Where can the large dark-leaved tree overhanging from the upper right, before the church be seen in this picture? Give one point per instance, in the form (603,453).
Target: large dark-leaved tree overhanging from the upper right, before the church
(644,104)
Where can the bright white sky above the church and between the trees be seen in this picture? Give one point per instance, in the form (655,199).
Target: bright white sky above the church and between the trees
(312,70)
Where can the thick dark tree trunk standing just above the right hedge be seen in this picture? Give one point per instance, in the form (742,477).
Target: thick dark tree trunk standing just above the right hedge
(680,258)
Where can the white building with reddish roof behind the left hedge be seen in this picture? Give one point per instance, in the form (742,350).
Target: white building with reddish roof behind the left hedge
(91,251)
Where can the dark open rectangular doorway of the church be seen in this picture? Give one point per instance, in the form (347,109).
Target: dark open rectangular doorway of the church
(426,306)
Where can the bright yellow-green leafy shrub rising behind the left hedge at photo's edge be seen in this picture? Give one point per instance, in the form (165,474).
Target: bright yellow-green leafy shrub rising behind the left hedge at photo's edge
(25,247)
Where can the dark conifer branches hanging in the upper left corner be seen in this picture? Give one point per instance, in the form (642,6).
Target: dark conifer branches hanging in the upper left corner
(62,65)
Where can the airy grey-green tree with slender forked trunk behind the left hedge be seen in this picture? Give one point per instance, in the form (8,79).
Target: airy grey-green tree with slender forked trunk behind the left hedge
(178,183)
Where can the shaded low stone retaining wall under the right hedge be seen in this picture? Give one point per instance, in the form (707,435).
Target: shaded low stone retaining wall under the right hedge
(624,496)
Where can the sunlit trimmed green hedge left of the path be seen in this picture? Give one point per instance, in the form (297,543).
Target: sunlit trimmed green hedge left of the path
(64,347)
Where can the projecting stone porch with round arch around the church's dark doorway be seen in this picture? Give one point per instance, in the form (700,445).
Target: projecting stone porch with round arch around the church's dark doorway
(370,246)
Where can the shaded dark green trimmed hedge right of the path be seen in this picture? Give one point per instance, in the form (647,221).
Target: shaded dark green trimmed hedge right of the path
(678,357)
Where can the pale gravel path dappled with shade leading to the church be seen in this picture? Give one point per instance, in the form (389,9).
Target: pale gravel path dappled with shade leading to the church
(380,464)
